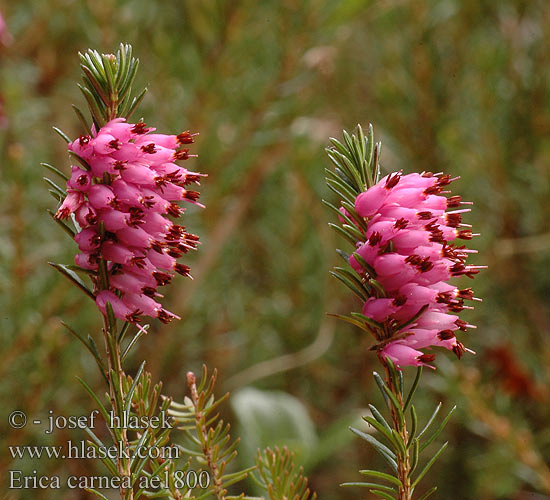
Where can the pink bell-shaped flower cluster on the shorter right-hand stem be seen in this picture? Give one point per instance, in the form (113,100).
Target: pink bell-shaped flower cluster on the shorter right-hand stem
(409,246)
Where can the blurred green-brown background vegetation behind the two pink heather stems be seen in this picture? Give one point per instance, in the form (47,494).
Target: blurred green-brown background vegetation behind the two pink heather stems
(450,85)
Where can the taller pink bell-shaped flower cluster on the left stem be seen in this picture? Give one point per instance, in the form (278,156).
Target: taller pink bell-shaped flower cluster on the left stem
(123,197)
